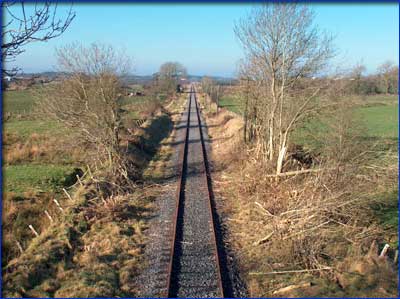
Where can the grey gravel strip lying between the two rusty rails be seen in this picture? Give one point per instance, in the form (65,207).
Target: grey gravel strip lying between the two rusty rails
(195,270)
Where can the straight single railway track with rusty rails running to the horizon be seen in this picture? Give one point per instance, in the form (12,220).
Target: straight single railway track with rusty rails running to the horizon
(194,266)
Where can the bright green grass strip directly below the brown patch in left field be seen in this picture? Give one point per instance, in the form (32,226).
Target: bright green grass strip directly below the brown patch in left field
(36,177)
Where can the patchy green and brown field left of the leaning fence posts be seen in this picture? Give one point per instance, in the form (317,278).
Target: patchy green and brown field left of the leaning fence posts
(37,164)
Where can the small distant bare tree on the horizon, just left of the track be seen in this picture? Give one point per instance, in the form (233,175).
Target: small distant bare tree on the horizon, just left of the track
(169,75)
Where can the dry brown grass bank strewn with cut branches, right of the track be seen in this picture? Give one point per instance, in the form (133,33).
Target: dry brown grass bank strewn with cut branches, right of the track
(305,222)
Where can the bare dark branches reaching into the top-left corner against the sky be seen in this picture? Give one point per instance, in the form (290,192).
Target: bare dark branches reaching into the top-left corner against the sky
(29,23)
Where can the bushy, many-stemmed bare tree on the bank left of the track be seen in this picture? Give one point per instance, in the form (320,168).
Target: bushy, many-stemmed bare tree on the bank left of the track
(87,100)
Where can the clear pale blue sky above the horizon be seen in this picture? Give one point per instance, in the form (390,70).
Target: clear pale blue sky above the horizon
(201,37)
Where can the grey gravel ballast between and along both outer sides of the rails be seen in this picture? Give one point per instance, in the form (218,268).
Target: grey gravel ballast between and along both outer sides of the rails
(195,270)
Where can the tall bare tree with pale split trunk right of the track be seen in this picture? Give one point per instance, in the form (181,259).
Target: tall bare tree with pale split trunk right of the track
(283,49)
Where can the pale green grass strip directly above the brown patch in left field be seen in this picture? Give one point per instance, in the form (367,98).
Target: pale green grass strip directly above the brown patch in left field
(25,128)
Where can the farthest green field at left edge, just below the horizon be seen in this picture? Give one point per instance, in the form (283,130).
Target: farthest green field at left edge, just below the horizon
(18,101)
